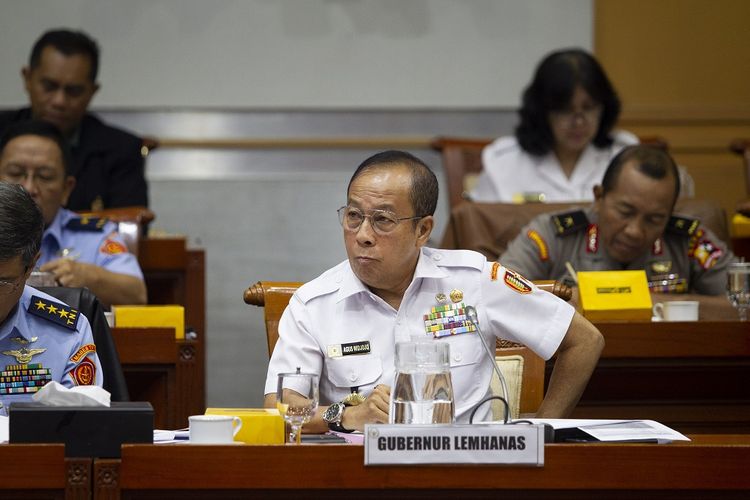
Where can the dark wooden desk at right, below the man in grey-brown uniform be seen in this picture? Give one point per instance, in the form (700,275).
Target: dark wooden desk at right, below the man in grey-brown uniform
(691,376)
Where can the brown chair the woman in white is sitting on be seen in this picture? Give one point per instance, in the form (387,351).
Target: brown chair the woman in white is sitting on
(462,160)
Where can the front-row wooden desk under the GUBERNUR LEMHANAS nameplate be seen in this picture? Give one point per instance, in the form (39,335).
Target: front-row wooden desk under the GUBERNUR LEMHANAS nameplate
(712,467)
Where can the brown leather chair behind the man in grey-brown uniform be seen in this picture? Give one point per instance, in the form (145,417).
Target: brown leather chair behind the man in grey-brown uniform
(488,228)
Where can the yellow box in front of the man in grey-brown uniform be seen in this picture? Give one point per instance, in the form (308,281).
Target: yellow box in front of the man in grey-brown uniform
(619,295)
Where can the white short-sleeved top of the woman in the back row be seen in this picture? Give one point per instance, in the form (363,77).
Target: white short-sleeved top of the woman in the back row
(511,174)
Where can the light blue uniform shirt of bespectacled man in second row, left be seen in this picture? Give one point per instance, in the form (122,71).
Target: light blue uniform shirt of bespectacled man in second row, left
(88,239)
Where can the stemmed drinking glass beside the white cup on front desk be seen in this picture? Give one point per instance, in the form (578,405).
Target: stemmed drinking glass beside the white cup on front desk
(297,400)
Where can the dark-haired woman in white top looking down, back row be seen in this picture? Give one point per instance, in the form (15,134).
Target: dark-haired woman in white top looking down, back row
(564,141)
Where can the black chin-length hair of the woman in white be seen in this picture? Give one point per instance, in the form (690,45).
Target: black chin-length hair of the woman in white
(552,88)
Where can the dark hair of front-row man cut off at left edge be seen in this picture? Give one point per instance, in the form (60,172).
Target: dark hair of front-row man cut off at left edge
(21,224)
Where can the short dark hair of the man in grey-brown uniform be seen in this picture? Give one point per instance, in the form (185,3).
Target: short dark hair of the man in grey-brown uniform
(651,161)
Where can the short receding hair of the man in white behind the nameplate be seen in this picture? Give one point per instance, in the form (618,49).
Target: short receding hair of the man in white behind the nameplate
(424,190)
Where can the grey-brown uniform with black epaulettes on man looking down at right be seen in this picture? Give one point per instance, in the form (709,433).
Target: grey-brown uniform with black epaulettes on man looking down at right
(686,258)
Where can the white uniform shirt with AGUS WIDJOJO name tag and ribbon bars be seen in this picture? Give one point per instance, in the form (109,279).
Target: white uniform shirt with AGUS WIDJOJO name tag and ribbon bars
(336,327)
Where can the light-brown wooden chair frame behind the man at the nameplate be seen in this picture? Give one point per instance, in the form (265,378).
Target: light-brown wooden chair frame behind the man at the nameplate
(274,296)
